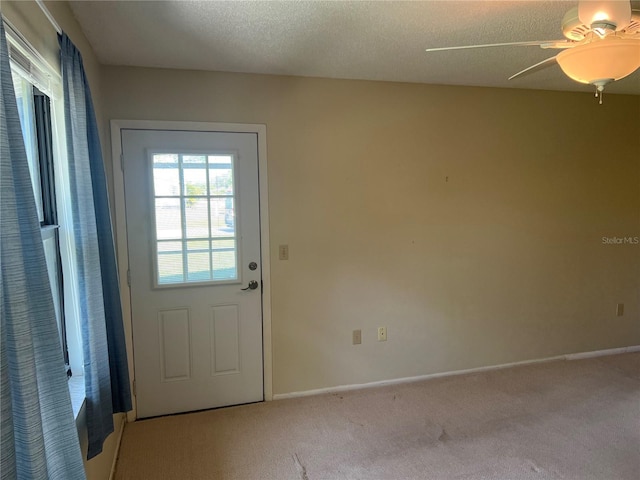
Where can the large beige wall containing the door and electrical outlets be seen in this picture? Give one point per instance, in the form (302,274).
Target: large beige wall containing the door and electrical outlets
(466,220)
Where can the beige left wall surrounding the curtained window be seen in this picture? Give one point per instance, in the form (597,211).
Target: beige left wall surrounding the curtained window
(29,20)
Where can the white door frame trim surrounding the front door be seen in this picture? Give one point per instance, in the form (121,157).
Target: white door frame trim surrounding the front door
(120,223)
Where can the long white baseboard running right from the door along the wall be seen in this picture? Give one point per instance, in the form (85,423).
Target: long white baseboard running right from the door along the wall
(396,381)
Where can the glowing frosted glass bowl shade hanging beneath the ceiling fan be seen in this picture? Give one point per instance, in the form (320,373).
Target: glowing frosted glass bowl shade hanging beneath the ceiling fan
(601,61)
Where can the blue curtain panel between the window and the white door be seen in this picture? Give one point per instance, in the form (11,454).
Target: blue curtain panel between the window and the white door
(105,361)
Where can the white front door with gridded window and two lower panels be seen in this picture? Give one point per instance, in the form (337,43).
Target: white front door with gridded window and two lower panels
(193,234)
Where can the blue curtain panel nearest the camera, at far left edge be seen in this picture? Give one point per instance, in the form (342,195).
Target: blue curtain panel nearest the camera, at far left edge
(38,434)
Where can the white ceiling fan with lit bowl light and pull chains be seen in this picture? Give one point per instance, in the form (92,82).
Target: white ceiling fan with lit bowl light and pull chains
(602,43)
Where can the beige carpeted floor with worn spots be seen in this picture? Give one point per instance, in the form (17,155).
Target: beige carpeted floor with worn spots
(558,420)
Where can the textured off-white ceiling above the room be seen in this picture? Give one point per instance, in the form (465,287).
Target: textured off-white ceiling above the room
(383,40)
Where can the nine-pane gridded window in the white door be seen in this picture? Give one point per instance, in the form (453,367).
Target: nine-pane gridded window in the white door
(195,225)
